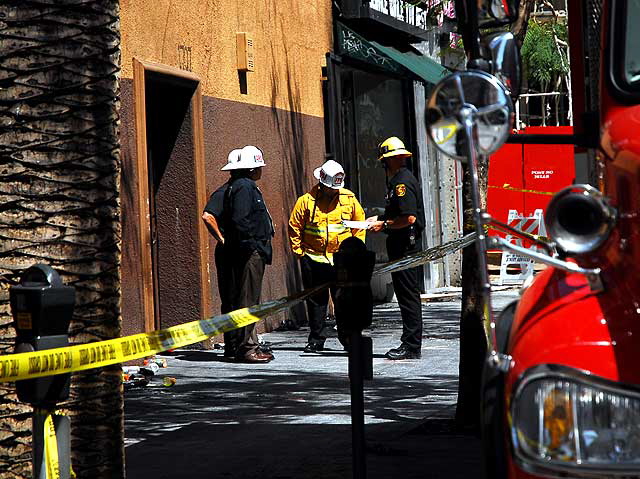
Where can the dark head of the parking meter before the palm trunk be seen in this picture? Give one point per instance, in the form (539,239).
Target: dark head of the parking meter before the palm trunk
(42,308)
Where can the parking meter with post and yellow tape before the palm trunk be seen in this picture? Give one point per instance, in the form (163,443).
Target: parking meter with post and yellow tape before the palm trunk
(42,308)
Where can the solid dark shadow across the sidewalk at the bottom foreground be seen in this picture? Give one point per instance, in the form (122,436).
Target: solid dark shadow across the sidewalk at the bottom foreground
(295,451)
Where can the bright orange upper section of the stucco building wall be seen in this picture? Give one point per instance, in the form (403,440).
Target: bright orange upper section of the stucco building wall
(291,40)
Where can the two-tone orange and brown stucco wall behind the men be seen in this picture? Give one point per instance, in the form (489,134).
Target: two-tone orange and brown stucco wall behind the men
(281,112)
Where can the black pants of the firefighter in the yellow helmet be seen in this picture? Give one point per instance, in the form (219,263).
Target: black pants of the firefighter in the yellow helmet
(405,285)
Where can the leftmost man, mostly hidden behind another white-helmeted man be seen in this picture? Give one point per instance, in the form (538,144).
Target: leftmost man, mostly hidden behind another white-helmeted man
(213,219)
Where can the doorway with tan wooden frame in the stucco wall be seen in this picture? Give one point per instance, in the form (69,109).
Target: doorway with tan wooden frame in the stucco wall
(171,195)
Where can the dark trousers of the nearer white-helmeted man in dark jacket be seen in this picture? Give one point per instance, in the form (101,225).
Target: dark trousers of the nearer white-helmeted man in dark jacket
(246,287)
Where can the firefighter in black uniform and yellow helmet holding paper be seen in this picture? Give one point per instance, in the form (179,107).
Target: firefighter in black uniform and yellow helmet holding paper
(403,222)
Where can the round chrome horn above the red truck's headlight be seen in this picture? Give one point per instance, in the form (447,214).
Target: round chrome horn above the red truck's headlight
(579,219)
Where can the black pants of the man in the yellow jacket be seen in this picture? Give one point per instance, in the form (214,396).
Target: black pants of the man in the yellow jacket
(314,274)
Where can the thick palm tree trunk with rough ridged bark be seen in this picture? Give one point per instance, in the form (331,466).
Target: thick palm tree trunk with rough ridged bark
(59,162)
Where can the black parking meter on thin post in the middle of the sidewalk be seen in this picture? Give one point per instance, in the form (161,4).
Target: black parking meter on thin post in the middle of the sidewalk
(354,311)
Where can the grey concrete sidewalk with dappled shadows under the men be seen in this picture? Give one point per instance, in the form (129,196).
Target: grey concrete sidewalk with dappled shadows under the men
(291,418)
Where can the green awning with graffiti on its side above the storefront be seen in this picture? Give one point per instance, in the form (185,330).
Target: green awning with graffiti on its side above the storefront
(356,46)
